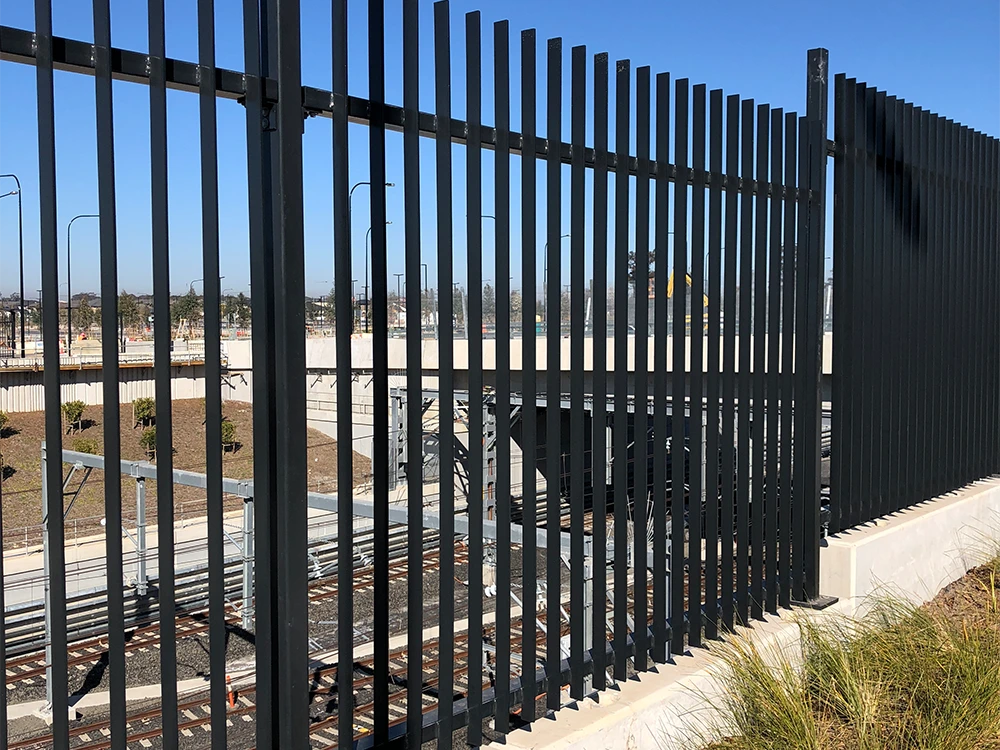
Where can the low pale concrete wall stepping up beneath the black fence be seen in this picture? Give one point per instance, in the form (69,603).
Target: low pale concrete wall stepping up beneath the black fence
(914,553)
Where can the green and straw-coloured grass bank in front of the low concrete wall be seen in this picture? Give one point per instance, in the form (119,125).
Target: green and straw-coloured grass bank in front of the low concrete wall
(903,678)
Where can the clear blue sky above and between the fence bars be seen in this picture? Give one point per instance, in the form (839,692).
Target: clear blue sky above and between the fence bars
(945,58)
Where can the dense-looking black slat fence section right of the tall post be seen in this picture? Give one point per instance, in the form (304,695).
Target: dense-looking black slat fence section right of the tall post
(915,315)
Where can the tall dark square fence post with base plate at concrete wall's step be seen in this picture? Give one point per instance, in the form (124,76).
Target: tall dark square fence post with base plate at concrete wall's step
(812,257)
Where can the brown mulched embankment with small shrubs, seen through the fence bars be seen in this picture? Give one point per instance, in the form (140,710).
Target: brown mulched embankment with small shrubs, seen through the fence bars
(22,482)
